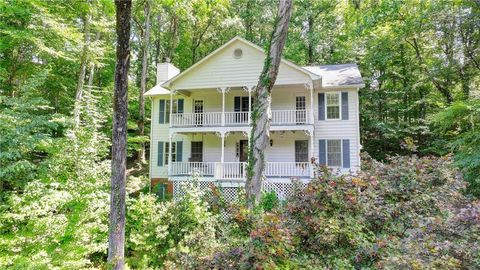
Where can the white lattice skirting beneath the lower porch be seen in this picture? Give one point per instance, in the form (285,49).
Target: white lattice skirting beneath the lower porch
(230,190)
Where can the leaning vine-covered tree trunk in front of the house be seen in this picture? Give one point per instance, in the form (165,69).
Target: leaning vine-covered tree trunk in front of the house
(261,114)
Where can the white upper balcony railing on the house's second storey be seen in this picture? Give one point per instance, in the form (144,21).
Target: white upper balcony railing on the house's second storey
(279,117)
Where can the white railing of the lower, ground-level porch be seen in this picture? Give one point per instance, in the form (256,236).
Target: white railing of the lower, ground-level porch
(238,170)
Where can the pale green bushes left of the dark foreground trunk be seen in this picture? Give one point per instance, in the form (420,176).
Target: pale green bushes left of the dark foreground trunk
(60,219)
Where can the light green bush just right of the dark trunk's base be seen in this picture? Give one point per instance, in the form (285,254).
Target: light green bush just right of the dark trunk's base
(169,234)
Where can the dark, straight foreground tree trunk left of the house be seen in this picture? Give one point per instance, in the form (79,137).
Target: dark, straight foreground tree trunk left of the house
(116,239)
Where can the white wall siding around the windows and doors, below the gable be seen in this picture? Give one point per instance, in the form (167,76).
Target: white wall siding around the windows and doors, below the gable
(283,149)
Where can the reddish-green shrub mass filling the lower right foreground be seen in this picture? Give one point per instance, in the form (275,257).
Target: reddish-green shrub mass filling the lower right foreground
(407,213)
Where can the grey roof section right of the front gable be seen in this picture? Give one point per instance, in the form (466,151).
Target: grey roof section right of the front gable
(338,75)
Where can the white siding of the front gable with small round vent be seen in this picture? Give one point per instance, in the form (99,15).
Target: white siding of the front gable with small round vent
(223,70)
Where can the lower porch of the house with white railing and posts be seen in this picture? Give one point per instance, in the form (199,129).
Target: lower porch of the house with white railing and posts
(223,156)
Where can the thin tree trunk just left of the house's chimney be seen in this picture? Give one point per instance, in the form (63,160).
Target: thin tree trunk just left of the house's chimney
(143,82)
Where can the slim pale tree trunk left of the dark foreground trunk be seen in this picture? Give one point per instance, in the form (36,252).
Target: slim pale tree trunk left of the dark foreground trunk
(83,68)
